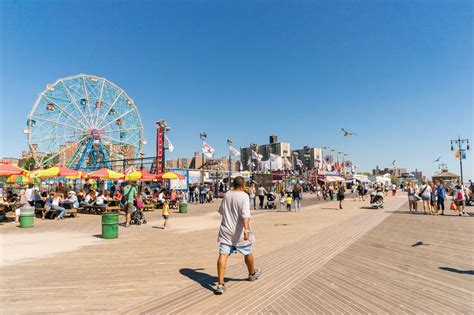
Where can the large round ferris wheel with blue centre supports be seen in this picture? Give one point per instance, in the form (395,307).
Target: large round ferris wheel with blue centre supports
(84,122)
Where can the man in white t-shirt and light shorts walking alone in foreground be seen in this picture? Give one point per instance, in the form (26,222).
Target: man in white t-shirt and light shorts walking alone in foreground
(234,233)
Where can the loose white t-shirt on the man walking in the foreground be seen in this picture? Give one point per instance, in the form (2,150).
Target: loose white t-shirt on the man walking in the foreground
(234,208)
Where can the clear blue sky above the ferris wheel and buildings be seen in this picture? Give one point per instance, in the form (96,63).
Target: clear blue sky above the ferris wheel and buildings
(399,73)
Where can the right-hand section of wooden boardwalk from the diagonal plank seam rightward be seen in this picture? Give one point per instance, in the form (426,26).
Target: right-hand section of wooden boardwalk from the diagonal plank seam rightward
(339,270)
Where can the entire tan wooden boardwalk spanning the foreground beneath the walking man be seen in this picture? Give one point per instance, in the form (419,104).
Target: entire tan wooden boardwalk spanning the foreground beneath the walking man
(319,260)
